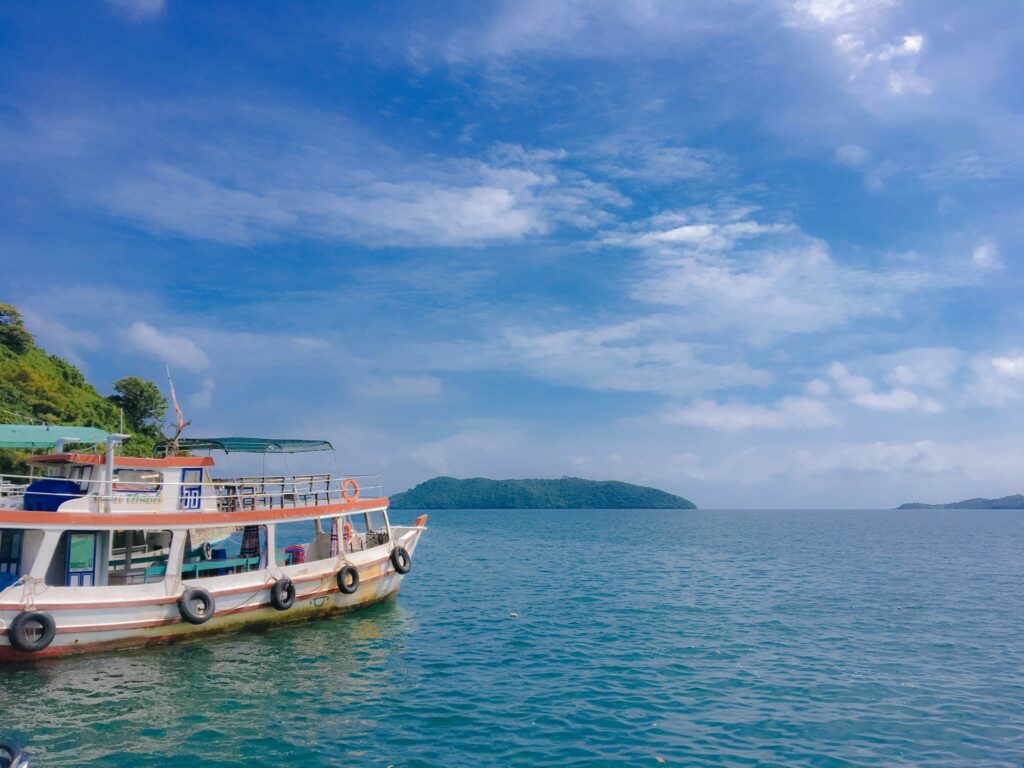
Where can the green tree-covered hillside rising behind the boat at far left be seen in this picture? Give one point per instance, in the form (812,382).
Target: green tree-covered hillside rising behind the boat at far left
(40,388)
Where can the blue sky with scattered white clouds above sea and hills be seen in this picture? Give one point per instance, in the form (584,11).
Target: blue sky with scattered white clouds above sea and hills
(758,253)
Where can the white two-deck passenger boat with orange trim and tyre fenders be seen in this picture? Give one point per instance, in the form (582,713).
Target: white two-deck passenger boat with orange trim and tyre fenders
(106,551)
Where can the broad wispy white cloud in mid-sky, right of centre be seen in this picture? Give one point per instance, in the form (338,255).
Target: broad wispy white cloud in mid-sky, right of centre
(726,270)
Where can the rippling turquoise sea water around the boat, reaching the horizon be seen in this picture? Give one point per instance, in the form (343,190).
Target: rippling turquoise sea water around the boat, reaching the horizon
(695,637)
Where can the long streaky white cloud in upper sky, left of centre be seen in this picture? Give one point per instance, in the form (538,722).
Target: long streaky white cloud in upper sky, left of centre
(515,195)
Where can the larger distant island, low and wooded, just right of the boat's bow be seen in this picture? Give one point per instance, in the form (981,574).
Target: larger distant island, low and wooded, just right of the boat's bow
(568,493)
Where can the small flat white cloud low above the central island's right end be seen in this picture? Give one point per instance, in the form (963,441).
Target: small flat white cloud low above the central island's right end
(789,413)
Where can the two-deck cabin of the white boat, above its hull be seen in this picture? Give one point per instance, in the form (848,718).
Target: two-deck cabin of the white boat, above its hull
(90,520)
